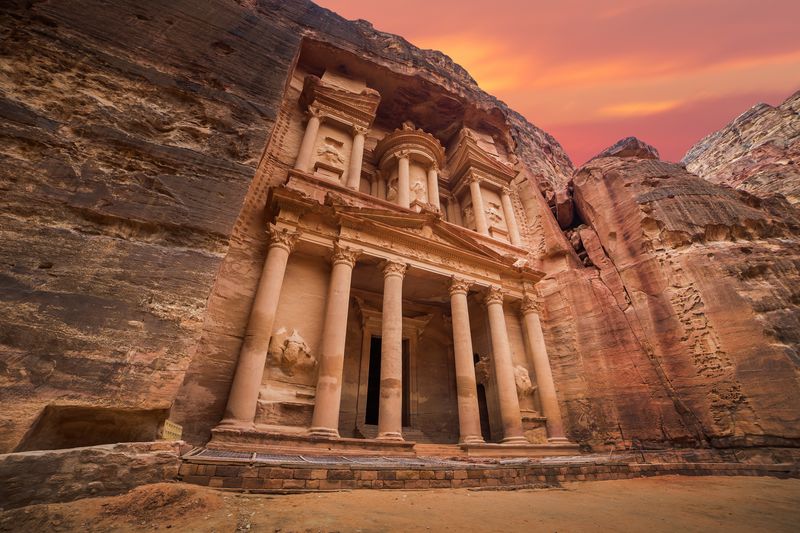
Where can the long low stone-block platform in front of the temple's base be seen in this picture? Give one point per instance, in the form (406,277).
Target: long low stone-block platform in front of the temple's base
(262,472)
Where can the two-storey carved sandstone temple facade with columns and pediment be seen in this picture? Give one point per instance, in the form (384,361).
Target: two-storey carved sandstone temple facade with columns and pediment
(396,303)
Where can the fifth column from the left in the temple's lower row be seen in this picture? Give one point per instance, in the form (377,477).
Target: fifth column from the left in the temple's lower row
(504,369)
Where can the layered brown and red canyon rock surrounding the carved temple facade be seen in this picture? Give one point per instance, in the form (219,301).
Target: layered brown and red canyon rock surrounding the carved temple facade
(132,235)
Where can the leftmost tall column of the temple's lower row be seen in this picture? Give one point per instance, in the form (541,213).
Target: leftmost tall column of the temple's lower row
(243,397)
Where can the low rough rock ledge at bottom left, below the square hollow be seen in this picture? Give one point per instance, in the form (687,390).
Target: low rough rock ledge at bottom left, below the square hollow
(69,474)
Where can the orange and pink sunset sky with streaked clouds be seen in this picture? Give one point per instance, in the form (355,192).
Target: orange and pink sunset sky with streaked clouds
(592,72)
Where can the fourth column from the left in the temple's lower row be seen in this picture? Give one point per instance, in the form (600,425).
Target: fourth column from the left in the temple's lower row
(469,421)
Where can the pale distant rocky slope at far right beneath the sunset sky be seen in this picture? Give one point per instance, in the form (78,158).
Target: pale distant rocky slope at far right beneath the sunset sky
(758,152)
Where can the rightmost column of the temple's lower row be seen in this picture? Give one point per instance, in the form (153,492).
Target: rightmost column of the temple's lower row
(541,366)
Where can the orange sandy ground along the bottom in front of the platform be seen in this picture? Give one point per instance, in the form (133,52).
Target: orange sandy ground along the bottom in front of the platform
(669,503)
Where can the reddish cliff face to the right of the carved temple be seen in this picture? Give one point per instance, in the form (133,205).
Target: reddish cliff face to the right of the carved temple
(689,323)
